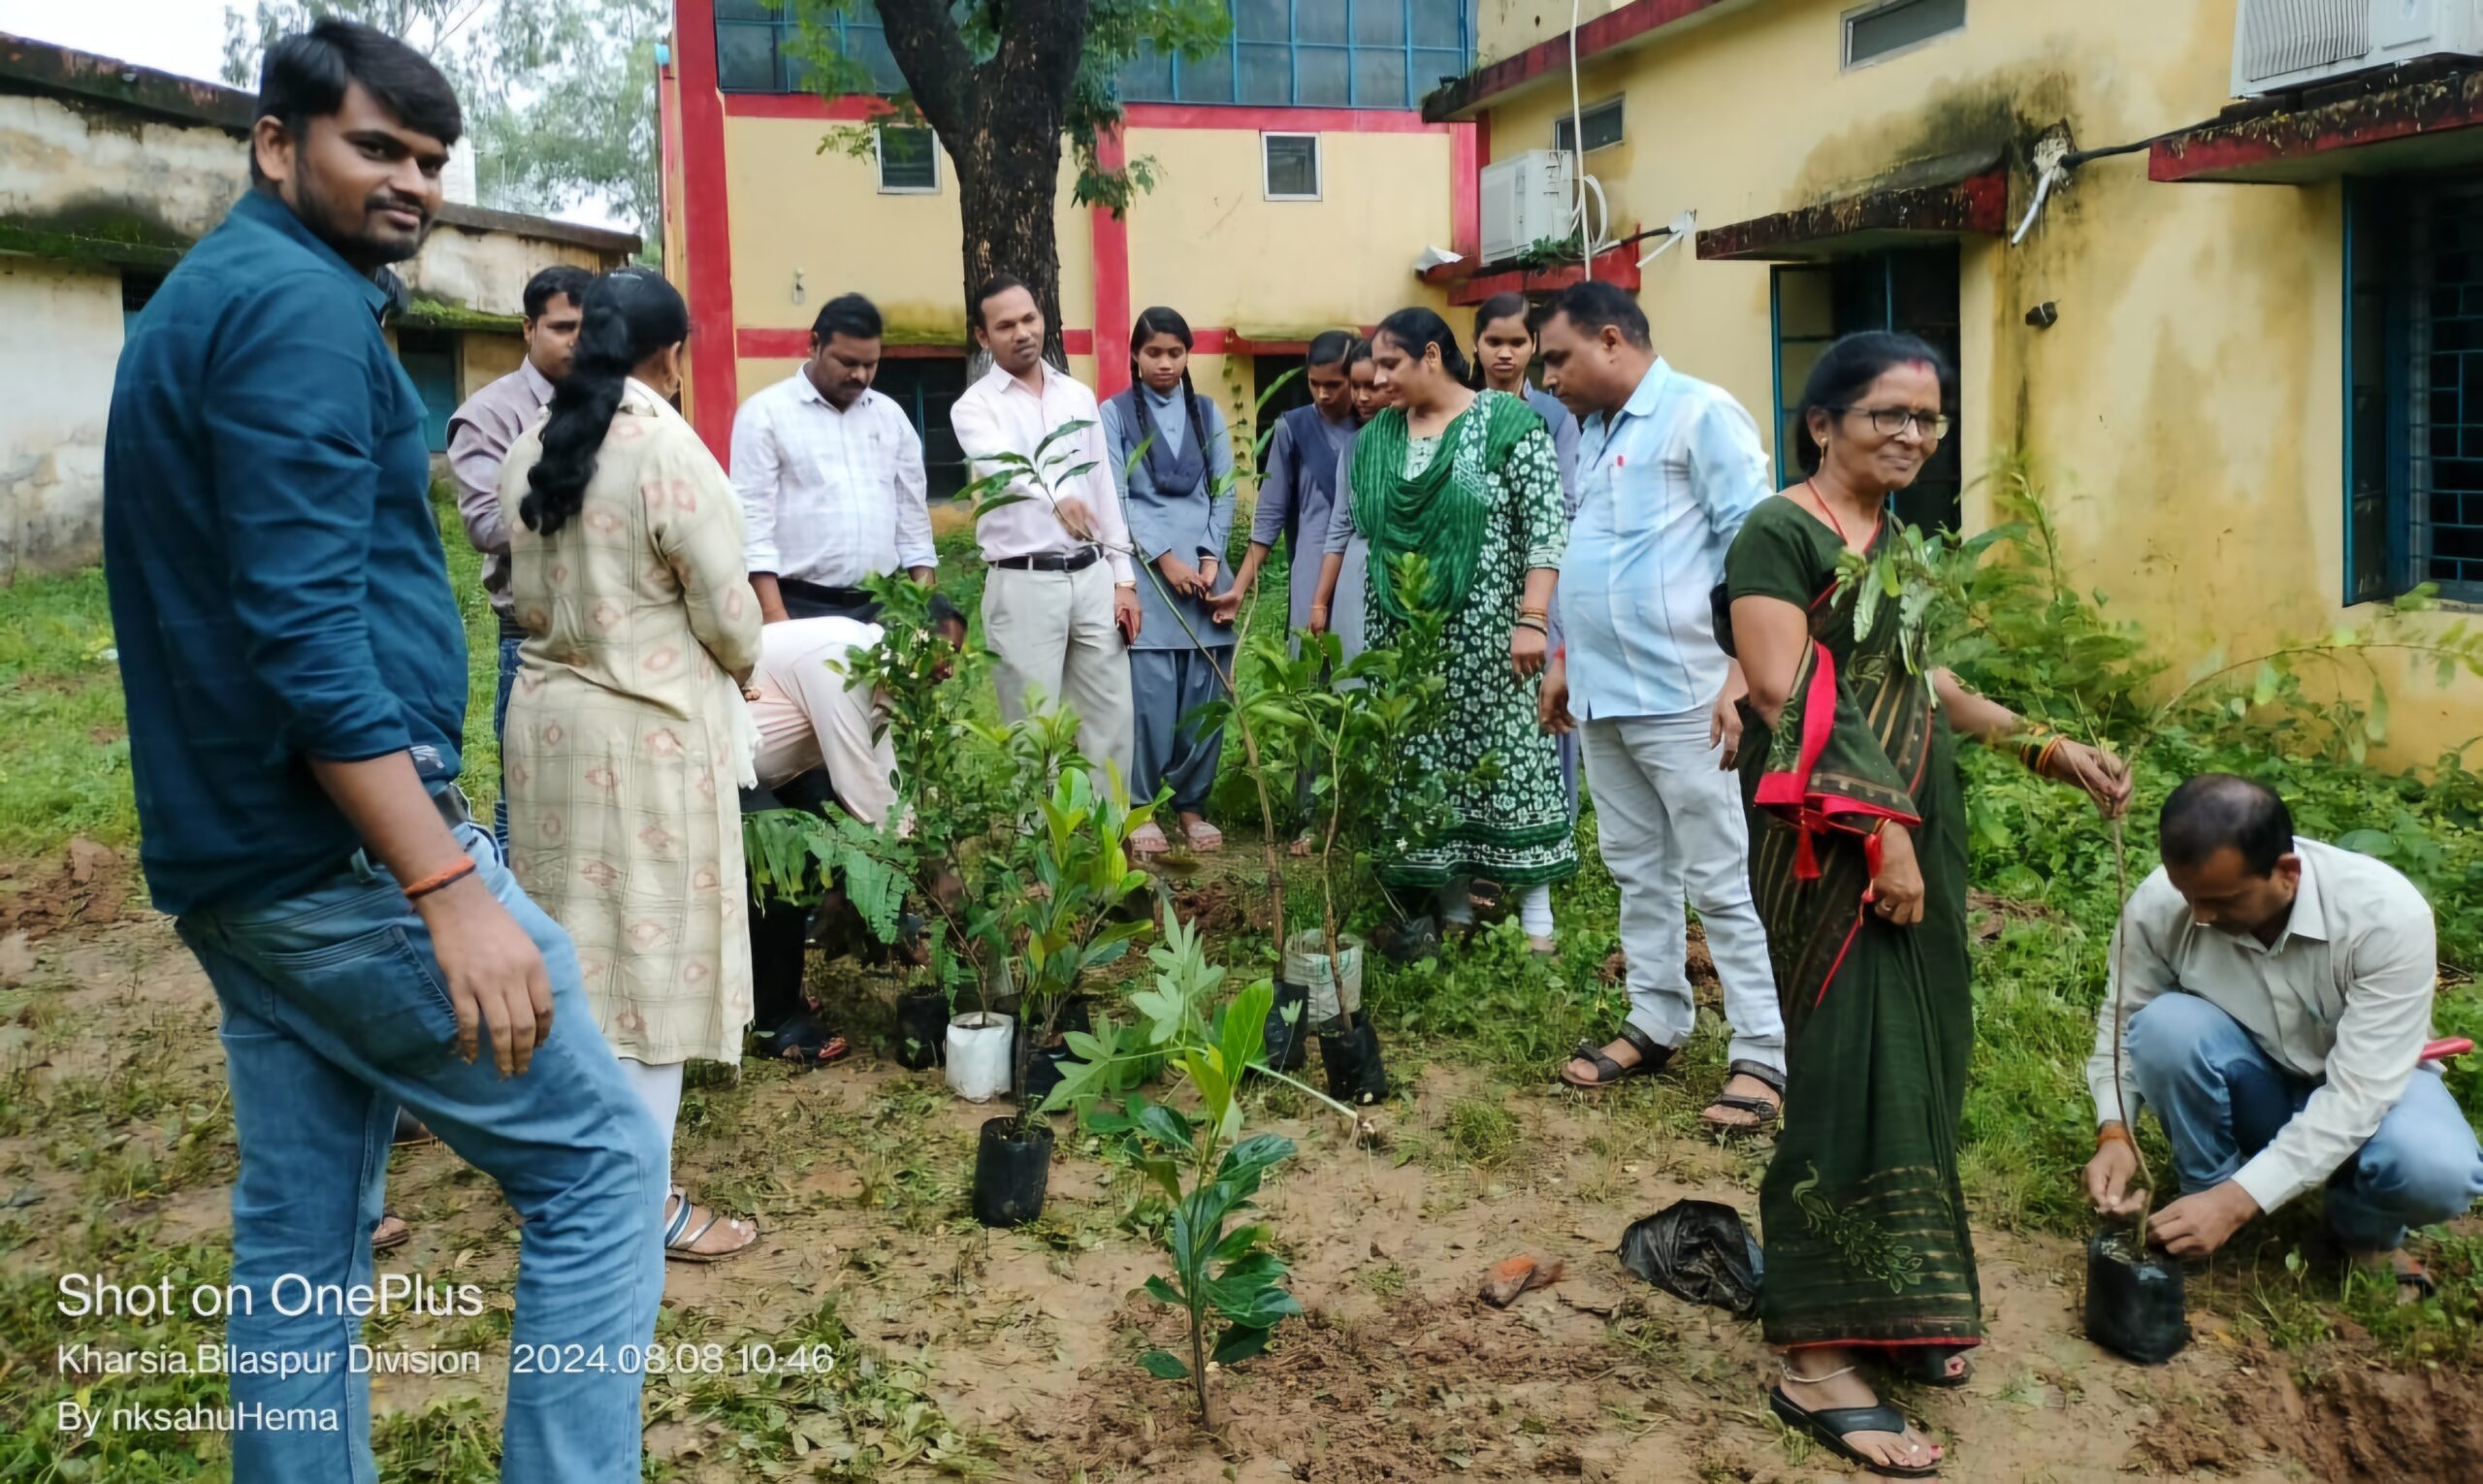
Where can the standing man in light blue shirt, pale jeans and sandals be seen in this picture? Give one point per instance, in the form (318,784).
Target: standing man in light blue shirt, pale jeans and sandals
(1667,470)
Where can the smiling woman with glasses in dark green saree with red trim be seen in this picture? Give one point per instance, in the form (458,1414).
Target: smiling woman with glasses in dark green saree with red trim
(1859,862)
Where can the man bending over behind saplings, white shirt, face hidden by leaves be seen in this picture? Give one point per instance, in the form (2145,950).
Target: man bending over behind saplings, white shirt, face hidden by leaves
(823,746)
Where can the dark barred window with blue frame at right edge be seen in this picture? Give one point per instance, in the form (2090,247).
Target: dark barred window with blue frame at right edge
(2415,391)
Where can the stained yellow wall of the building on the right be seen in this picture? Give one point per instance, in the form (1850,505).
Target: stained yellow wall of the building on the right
(2189,406)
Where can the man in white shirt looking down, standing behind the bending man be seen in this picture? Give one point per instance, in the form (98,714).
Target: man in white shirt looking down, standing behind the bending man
(831,478)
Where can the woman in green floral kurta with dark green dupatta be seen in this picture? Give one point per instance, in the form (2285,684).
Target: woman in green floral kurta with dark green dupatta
(1471,483)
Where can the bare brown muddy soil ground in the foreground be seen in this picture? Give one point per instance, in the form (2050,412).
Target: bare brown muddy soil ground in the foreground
(1022,1344)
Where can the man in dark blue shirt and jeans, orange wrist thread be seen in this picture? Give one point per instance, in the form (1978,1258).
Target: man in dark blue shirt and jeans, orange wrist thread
(297,681)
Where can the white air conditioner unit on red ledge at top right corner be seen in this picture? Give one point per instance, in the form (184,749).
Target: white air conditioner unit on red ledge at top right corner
(2281,46)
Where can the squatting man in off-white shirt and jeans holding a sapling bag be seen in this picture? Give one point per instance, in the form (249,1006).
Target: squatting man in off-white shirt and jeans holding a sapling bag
(2278,1001)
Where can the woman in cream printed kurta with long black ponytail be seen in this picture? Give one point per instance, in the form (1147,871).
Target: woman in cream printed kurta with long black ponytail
(627,741)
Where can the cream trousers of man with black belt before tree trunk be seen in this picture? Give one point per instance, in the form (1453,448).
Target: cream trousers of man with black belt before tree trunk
(1054,641)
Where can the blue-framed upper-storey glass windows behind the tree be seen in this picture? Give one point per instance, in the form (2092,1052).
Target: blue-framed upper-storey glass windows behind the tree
(1287,53)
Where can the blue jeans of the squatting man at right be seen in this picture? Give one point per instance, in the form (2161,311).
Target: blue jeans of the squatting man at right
(2224,1101)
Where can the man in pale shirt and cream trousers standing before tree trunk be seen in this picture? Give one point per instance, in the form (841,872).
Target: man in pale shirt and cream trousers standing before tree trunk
(1061,599)
